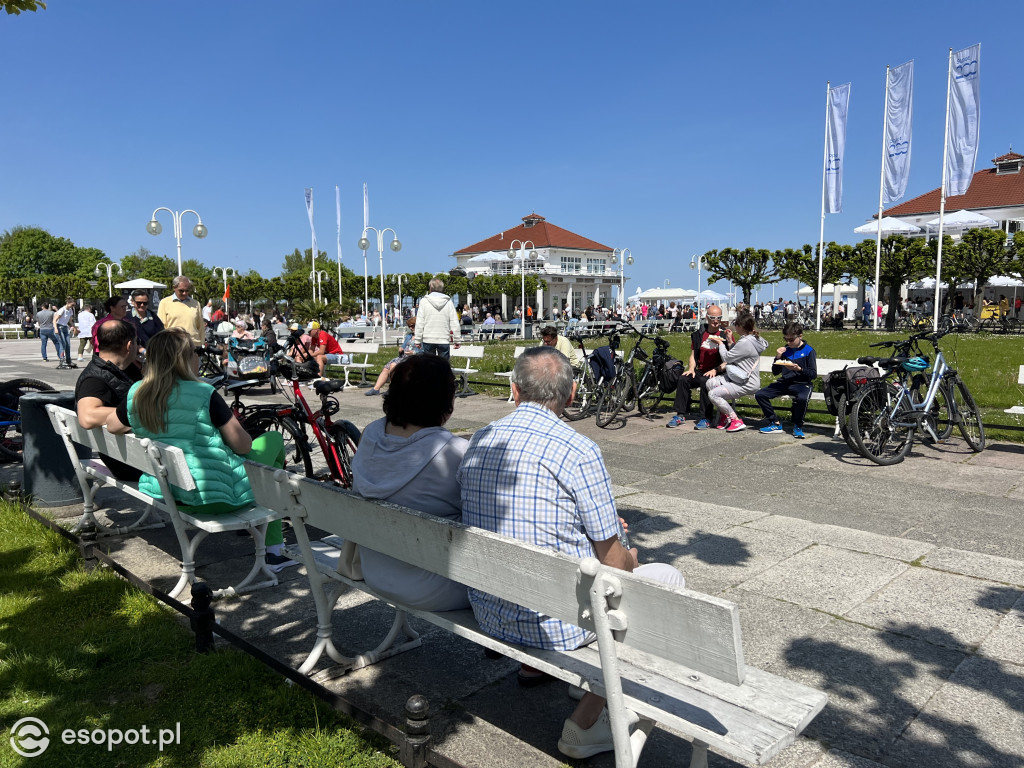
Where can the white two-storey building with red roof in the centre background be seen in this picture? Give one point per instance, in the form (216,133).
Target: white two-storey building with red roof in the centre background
(579,271)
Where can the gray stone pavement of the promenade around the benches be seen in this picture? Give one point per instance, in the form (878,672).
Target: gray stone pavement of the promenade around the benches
(898,590)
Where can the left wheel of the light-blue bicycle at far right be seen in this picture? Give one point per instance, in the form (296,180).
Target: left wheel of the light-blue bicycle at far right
(882,423)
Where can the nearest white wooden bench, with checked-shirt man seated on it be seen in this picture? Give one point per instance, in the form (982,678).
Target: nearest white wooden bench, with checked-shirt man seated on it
(670,655)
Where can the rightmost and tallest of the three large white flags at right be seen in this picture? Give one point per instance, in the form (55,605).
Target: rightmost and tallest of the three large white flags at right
(964,120)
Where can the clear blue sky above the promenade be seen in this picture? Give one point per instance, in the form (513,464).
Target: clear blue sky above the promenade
(667,127)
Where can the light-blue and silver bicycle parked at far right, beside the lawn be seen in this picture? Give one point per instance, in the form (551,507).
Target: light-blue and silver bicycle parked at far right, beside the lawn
(885,417)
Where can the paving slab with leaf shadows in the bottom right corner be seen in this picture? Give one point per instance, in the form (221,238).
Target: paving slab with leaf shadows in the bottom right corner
(975,719)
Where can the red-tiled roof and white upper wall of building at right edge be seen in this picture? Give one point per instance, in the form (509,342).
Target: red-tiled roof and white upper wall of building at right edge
(997,193)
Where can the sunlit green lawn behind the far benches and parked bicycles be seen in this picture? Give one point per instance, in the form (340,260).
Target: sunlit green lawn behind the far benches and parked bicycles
(989,363)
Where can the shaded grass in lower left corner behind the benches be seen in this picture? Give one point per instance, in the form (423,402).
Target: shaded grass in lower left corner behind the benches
(84,650)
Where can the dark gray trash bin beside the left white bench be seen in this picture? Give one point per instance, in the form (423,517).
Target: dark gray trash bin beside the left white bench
(50,478)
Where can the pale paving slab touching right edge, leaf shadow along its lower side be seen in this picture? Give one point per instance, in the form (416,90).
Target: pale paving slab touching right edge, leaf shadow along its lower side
(947,610)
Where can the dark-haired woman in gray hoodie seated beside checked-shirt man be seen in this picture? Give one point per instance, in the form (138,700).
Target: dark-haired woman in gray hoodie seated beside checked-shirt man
(409,458)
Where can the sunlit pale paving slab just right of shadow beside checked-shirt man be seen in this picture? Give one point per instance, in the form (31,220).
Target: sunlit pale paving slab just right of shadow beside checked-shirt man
(826,578)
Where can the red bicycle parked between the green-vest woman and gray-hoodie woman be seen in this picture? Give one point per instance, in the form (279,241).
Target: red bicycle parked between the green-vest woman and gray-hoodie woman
(337,441)
